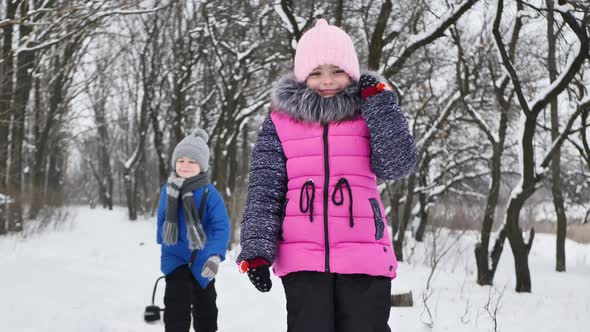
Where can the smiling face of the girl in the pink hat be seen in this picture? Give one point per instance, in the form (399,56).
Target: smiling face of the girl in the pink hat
(328,80)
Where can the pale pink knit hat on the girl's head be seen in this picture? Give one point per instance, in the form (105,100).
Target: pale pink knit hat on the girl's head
(325,44)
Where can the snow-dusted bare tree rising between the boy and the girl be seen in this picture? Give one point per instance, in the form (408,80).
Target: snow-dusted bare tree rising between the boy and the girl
(235,65)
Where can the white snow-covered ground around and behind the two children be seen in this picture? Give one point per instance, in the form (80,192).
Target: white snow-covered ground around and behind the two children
(96,273)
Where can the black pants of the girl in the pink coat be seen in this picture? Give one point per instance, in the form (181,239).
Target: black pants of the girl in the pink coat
(329,302)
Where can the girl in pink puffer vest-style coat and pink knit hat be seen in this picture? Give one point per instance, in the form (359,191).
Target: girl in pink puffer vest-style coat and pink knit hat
(313,210)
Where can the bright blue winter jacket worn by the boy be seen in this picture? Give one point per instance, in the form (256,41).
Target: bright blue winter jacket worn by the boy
(215,222)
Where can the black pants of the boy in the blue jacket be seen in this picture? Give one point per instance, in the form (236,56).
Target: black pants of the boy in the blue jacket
(183,295)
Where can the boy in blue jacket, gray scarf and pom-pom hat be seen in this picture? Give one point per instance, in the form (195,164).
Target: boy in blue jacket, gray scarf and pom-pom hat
(193,229)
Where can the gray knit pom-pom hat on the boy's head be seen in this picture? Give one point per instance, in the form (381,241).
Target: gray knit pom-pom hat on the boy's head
(193,146)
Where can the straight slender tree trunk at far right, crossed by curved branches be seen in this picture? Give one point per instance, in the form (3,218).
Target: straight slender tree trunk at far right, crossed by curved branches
(556,157)
